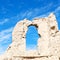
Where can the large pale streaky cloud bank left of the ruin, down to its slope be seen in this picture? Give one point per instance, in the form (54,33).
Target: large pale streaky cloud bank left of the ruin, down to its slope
(5,39)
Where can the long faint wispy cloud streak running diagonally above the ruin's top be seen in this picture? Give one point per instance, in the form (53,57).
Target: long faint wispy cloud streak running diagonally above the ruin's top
(31,13)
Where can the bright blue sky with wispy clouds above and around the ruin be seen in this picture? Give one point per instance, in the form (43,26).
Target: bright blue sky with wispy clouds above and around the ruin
(12,11)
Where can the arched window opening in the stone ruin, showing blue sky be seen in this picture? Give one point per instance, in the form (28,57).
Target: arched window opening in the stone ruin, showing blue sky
(31,38)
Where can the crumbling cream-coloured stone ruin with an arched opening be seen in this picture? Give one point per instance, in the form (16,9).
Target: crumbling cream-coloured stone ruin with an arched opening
(48,46)
